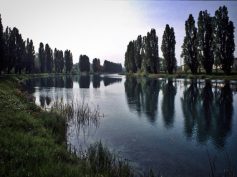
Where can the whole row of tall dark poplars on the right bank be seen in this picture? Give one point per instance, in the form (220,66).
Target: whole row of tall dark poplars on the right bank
(207,46)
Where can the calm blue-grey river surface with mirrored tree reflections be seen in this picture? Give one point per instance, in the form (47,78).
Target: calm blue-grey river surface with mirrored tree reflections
(168,125)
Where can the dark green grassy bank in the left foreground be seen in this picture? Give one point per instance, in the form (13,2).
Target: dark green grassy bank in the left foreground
(32,142)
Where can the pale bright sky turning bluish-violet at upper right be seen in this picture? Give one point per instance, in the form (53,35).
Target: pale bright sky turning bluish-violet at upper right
(102,28)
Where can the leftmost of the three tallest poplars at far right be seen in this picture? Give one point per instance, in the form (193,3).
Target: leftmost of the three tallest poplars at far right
(189,46)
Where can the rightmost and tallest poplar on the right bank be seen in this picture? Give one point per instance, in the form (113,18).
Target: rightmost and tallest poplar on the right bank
(224,39)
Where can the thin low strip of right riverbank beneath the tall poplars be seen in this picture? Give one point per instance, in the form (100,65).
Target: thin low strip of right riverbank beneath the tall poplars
(220,76)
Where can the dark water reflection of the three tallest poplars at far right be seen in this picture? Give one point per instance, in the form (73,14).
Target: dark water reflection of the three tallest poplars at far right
(208,113)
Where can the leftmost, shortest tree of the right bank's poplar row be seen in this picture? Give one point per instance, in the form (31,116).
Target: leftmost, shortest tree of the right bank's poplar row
(130,64)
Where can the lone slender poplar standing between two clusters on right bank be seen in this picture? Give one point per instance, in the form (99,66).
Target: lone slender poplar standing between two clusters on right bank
(168,49)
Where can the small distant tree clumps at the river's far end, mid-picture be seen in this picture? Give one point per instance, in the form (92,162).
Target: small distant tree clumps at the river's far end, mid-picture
(108,66)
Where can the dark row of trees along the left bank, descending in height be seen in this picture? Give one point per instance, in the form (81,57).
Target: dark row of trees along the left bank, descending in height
(18,55)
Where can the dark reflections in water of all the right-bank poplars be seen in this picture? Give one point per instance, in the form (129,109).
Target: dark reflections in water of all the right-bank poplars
(207,109)
